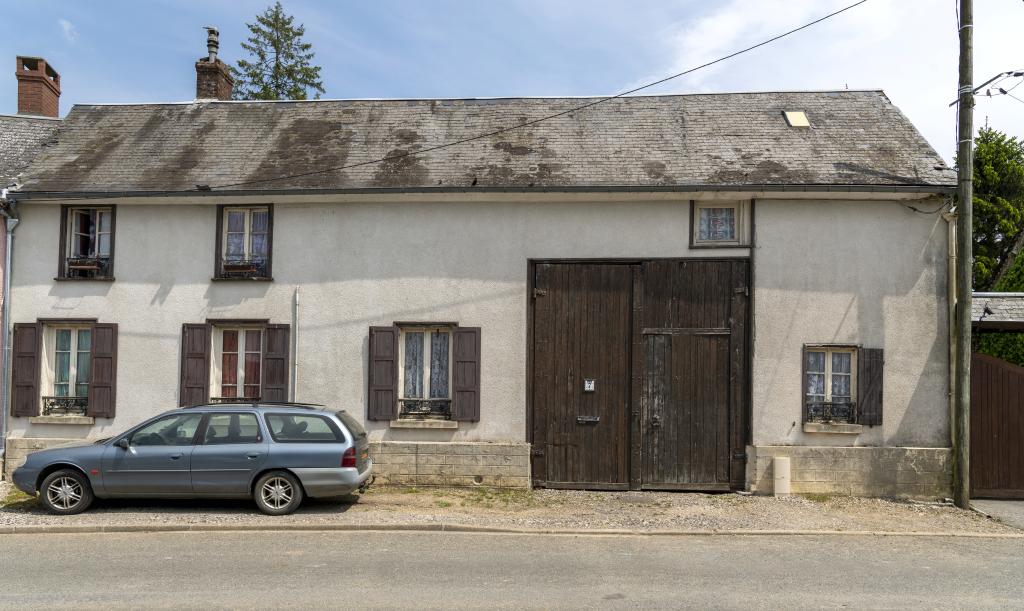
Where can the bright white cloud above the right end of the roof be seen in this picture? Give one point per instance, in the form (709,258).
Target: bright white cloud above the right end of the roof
(907,48)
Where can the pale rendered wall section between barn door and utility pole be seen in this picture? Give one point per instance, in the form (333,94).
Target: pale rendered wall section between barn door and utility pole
(870,274)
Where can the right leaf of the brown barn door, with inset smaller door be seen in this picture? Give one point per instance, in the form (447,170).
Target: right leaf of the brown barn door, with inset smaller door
(693,390)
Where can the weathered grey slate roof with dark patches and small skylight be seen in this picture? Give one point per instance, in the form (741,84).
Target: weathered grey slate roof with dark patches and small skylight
(716,141)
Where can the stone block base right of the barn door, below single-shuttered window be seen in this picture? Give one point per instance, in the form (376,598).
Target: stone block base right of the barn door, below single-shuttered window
(904,472)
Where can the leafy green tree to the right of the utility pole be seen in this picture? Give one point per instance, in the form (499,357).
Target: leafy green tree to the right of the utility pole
(999,204)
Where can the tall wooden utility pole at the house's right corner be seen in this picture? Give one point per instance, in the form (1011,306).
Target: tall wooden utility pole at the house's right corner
(965,261)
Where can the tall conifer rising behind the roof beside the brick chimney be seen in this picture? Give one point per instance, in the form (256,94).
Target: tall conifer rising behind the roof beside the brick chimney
(280,62)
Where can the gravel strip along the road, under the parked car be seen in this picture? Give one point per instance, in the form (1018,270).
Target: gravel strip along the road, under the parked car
(534,510)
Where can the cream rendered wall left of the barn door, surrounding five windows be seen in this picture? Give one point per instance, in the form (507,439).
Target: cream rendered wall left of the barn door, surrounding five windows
(356,266)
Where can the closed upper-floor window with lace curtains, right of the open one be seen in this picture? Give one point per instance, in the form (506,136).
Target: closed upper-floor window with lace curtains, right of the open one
(244,235)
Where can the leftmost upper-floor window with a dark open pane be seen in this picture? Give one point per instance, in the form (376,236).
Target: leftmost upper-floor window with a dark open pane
(88,243)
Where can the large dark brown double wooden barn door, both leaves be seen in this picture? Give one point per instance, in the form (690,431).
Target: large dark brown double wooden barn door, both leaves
(639,375)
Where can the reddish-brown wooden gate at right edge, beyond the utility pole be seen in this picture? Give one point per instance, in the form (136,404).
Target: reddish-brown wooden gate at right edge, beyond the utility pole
(997,428)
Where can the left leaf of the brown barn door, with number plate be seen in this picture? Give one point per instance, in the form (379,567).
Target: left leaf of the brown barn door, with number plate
(582,343)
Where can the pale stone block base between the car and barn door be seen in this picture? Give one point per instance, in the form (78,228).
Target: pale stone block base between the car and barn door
(452,464)
